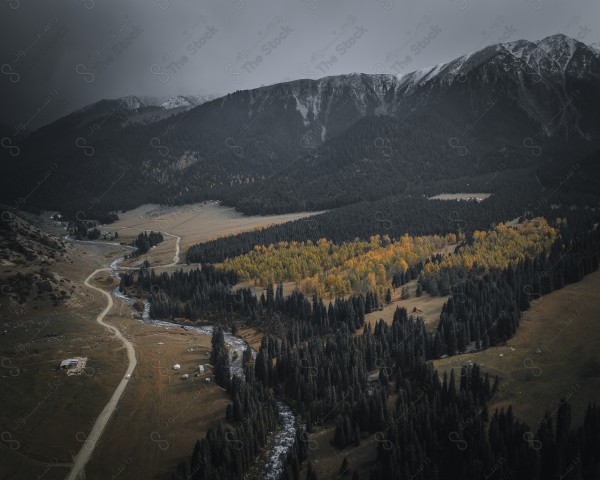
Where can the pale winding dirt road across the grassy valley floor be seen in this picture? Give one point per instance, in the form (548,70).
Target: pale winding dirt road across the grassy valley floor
(85,453)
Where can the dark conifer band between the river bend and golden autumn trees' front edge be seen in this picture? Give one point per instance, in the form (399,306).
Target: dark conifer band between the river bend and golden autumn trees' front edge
(199,294)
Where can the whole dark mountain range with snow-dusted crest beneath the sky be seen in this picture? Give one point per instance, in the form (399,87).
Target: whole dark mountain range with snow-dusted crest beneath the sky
(319,144)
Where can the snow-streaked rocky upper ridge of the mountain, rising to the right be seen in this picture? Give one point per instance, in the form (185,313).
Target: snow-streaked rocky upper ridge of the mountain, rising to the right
(515,66)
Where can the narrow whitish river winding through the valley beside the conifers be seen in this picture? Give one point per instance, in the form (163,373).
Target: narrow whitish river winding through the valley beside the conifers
(280,443)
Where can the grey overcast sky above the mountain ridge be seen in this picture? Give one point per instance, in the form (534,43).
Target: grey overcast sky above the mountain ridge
(59,56)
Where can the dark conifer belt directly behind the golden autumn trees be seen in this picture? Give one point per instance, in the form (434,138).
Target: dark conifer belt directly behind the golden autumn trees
(396,215)
